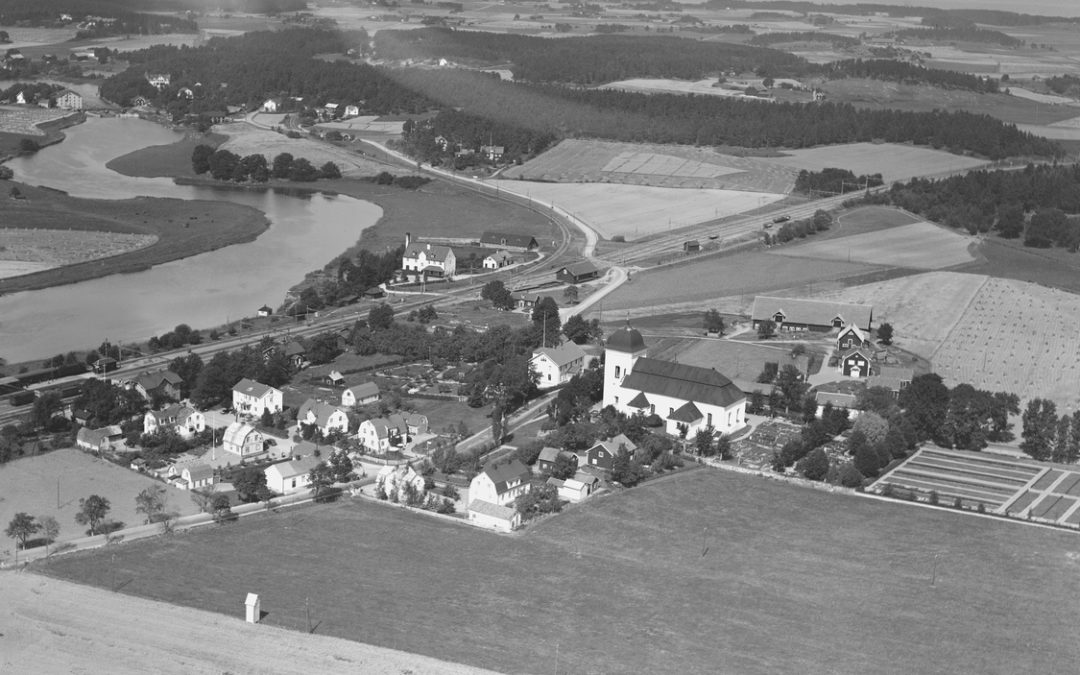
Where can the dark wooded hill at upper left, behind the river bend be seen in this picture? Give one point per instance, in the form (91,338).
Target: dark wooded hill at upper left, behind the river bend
(248,70)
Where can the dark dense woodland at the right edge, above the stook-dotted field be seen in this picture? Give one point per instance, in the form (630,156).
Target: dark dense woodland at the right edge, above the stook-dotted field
(1034,202)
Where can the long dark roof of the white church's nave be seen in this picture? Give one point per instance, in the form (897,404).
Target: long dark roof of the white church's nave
(684,383)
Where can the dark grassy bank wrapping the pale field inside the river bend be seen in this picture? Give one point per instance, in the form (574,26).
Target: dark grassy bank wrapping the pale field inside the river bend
(183,228)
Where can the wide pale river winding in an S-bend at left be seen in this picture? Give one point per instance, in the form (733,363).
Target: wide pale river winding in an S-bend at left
(307,232)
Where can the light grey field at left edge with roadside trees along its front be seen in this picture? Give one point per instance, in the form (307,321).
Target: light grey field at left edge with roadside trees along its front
(31,485)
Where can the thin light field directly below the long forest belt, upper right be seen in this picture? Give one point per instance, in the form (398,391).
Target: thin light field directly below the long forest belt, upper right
(894,161)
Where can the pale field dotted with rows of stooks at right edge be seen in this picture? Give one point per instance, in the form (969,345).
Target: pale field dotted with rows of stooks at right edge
(1018,337)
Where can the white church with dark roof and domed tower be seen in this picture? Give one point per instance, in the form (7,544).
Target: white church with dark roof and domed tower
(683,396)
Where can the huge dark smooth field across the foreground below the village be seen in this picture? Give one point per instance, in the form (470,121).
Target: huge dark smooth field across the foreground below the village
(685,574)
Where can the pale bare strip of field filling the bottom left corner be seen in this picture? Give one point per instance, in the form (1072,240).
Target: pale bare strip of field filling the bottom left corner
(56,627)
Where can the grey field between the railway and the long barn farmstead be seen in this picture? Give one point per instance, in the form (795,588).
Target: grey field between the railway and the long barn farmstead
(737,279)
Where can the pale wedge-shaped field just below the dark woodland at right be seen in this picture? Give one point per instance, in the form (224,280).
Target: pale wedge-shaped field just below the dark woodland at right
(920,246)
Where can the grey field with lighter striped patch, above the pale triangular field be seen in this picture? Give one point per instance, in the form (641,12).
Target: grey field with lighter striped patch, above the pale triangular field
(670,167)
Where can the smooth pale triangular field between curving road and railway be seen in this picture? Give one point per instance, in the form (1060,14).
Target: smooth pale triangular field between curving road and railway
(640,211)
